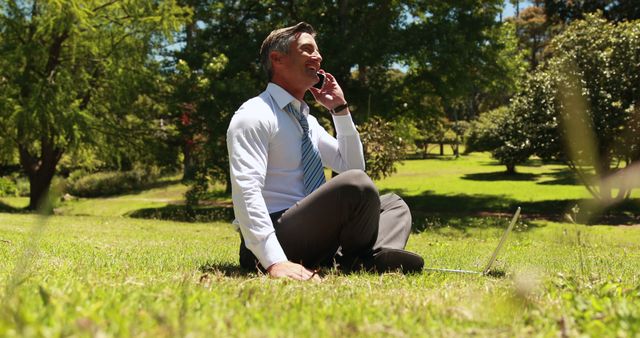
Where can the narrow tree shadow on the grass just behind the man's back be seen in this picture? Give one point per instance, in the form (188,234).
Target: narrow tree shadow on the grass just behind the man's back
(182,213)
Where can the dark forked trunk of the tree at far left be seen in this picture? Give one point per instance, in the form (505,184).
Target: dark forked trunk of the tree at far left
(40,171)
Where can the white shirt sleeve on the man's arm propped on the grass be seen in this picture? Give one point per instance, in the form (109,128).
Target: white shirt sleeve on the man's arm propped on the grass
(248,144)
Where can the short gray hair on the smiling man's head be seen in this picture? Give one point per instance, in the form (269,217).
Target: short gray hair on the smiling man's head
(280,40)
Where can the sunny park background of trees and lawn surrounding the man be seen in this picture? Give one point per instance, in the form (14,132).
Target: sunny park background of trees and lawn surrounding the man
(114,198)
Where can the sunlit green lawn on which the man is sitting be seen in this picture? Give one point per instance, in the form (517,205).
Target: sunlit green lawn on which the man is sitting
(89,271)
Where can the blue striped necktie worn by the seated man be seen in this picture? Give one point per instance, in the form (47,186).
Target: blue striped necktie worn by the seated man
(313,171)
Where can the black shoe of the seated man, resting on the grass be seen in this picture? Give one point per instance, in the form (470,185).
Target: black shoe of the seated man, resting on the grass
(391,260)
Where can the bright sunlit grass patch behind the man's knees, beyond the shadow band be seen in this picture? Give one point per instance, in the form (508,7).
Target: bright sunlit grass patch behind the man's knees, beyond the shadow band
(477,174)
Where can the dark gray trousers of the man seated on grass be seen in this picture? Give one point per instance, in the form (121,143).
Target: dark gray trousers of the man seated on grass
(344,215)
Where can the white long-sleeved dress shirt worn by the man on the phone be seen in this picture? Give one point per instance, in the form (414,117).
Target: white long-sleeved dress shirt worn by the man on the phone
(264,143)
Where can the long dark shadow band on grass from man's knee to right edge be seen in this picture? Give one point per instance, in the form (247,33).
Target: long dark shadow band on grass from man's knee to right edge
(461,210)
